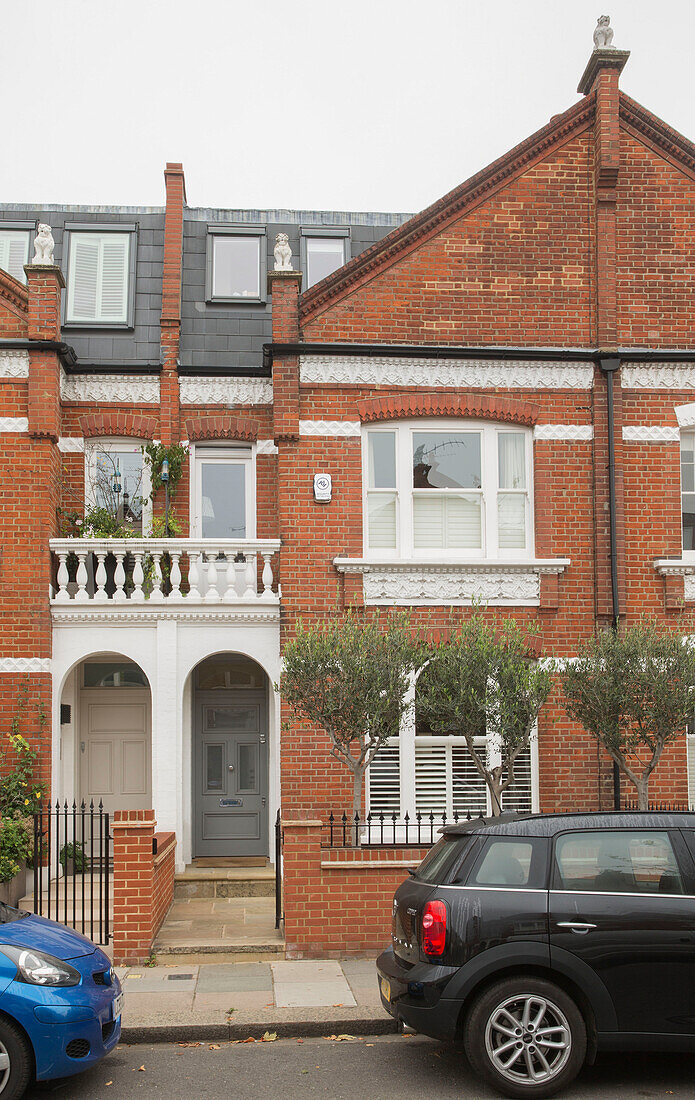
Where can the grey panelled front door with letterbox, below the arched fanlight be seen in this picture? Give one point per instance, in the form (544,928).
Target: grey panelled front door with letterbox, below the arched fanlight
(231,774)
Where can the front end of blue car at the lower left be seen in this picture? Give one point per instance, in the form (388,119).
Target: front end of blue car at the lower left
(60,1003)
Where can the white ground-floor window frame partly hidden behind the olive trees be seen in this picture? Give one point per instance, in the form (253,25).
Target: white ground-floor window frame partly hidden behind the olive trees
(407,743)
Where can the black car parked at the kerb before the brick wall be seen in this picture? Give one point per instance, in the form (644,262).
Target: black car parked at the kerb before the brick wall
(542,940)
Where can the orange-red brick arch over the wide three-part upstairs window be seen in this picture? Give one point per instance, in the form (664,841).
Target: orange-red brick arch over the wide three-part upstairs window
(442,404)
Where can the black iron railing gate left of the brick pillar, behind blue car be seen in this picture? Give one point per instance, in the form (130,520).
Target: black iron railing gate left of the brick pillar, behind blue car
(73,868)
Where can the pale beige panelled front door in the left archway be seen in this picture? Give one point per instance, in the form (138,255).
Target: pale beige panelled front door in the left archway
(115,749)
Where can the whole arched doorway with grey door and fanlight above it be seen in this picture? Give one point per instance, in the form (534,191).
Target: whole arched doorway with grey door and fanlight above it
(230,758)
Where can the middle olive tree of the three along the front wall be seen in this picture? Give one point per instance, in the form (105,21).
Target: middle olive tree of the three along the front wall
(483,681)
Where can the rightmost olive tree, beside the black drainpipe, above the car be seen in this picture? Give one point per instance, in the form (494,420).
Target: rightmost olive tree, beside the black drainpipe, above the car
(634,691)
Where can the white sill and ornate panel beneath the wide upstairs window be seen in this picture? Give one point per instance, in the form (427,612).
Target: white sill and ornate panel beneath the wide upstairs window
(409,584)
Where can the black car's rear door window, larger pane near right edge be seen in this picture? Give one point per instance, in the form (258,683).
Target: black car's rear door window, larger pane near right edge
(617,862)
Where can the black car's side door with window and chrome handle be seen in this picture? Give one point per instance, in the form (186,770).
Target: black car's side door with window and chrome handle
(623,904)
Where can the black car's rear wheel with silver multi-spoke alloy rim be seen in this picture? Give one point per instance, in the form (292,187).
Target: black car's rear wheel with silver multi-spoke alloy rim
(526,1037)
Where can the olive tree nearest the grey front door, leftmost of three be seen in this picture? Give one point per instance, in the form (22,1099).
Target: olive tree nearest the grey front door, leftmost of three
(350,677)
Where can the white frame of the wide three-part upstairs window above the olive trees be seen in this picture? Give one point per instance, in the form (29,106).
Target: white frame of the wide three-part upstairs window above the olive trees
(490,433)
